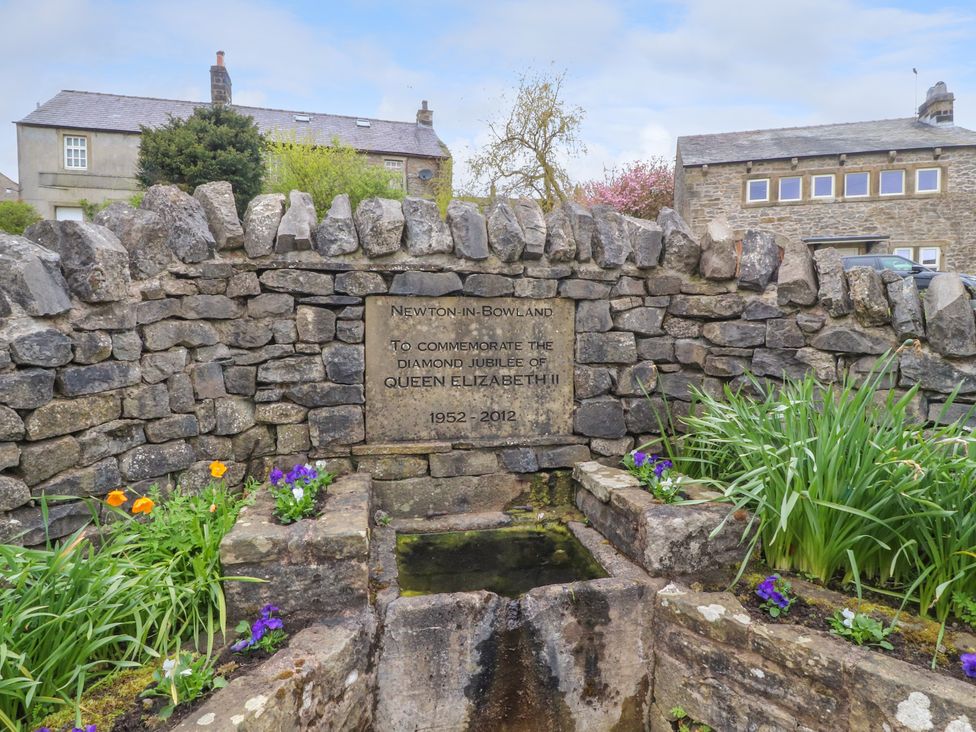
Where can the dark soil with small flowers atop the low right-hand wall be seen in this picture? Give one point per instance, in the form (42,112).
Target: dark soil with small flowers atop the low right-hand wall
(815,617)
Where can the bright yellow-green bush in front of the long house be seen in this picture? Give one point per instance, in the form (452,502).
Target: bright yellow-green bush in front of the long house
(325,171)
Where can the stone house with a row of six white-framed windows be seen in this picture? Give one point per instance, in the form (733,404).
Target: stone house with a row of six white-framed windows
(902,186)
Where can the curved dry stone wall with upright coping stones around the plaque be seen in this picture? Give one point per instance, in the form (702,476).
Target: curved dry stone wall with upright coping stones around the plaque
(136,349)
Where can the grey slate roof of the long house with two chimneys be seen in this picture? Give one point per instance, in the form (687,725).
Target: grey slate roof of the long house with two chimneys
(118,113)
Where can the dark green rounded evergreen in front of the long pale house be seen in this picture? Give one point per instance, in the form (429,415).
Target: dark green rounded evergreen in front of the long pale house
(214,143)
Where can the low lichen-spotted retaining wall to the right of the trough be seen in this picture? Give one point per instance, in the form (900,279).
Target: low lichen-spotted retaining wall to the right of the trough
(727,670)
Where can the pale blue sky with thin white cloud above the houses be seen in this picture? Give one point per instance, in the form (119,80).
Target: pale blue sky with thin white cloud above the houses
(643,72)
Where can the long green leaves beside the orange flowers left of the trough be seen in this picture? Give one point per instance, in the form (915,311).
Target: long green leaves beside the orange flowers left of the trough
(73,613)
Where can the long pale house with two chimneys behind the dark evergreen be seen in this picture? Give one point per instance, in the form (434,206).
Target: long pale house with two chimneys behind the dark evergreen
(84,145)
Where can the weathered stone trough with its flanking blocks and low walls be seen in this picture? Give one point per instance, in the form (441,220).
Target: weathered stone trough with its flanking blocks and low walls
(613,653)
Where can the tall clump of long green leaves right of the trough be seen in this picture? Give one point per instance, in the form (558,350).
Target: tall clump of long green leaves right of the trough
(844,483)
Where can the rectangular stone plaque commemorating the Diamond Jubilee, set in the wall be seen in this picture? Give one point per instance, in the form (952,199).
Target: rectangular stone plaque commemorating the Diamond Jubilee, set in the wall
(444,368)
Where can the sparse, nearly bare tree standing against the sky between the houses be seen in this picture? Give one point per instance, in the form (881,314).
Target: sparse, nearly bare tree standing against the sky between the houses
(526,150)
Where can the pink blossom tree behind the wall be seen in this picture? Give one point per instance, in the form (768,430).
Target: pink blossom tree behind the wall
(641,188)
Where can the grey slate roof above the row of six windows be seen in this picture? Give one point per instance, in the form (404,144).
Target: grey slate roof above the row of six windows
(851,137)
